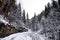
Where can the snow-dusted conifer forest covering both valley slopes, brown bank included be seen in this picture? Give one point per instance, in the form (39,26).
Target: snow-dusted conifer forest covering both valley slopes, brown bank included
(14,20)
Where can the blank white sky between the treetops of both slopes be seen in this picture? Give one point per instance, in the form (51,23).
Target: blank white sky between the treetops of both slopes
(33,6)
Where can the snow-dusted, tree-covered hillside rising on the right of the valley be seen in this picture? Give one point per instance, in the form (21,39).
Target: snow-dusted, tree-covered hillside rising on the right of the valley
(49,21)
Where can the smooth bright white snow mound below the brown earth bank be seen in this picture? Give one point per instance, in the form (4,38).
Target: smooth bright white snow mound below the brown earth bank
(17,36)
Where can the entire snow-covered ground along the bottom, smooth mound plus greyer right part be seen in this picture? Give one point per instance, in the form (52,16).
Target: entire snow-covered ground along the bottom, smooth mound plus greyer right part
(24,36)
